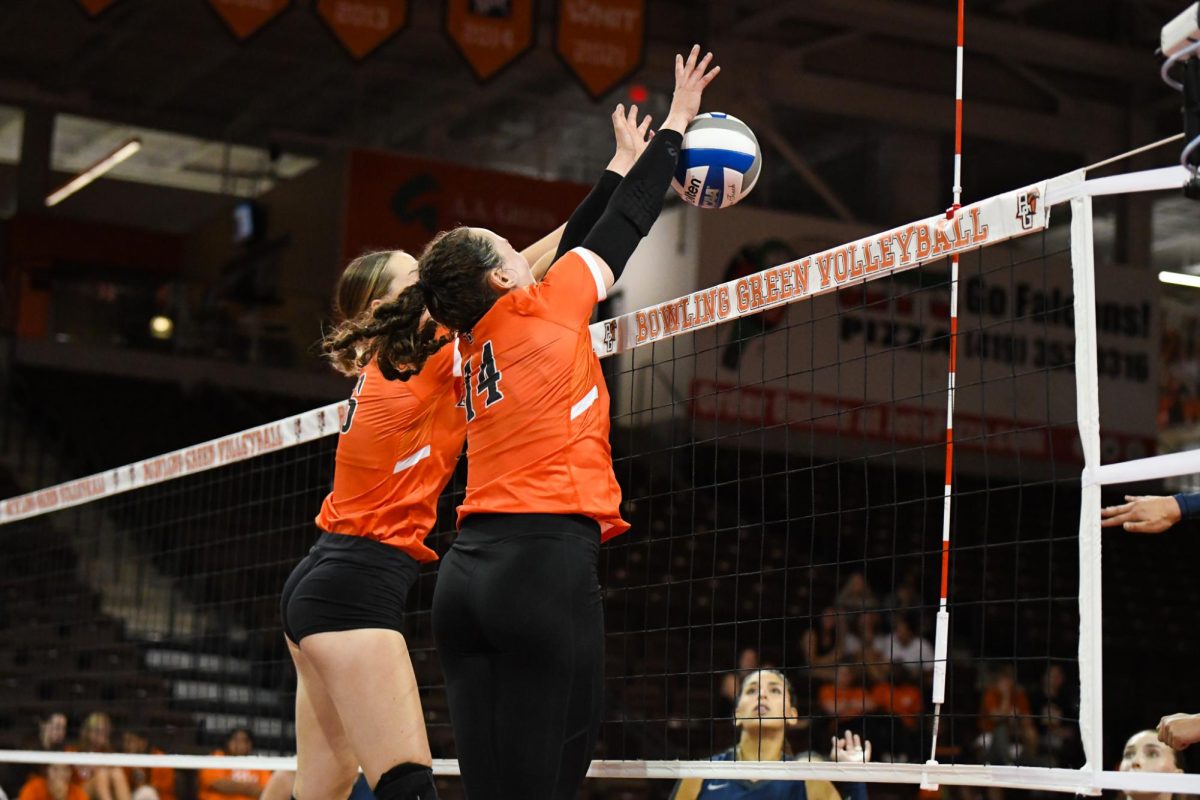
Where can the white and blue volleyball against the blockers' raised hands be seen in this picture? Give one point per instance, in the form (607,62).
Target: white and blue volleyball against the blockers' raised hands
(719,164)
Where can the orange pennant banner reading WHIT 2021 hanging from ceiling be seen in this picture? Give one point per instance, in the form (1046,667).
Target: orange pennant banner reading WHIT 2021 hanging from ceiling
(602,44)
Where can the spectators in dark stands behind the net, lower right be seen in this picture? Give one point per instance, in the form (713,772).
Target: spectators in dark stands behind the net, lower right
(869,665)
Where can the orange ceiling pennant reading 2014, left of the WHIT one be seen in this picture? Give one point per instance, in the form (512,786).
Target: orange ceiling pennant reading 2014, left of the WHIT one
(490,34)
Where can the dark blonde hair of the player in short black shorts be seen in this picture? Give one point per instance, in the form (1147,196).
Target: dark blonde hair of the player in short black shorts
(363,281)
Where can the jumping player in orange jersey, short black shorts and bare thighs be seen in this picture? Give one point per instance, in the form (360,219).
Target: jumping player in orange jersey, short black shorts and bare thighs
(357,695)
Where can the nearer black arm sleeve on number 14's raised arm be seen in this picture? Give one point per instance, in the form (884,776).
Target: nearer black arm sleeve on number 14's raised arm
(635,204)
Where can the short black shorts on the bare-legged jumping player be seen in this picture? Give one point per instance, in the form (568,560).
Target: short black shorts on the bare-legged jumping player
(347,584)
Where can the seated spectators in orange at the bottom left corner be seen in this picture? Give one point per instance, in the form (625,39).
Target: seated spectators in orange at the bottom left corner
(87,783)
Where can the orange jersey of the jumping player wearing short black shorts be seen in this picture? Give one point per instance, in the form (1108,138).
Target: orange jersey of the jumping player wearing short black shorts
(399,447)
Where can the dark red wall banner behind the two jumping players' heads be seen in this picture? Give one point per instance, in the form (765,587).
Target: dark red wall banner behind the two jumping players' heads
(400,203)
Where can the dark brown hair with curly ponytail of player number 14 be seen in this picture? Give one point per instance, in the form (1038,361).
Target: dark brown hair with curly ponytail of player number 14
(453,287)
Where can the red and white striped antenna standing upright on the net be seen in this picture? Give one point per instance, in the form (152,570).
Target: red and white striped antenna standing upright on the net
(943,631)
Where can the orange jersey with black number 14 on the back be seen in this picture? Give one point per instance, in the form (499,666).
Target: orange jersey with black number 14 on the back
(538,406)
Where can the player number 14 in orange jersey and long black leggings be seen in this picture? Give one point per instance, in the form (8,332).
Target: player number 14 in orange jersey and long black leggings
(518,613)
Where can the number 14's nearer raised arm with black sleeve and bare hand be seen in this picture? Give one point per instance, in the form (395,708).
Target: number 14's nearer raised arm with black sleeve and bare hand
(638,202)
